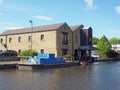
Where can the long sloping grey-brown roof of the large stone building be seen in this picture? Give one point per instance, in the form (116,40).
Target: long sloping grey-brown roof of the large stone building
(35,29)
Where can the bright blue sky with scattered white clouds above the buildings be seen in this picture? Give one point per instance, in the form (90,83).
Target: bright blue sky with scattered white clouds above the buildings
(102,15)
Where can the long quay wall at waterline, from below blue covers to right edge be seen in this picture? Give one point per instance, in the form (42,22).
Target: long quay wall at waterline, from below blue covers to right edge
(26,66)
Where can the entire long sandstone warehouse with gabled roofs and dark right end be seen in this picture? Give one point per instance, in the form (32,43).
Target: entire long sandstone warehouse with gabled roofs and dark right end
(60,39)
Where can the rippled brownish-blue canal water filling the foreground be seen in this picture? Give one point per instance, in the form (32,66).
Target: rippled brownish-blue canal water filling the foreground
(97,76)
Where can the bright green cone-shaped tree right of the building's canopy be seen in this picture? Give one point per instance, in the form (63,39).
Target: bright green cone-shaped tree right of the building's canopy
(104,47)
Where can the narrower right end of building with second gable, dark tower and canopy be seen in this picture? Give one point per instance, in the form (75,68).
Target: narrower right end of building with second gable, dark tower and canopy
(82,39)
